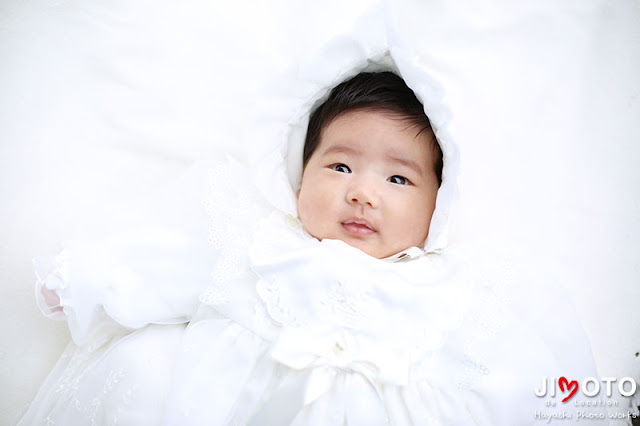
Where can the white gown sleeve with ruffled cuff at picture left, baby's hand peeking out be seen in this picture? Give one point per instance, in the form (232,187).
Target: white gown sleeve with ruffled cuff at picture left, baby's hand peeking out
(149,268)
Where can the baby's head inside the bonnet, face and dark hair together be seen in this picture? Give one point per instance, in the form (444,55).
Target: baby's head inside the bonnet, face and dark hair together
(372,167)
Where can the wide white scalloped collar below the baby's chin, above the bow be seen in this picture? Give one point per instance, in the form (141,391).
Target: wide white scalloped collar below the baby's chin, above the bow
(307,284)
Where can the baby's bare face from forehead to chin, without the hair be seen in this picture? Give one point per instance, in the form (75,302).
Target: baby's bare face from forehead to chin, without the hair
(370,183)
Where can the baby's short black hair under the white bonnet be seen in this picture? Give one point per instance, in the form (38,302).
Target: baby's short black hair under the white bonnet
(374,91)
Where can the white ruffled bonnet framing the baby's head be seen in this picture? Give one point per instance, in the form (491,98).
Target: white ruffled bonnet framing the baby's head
(278,164)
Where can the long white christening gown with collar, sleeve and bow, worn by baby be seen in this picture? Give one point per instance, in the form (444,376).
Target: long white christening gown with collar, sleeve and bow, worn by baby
(288,330)
